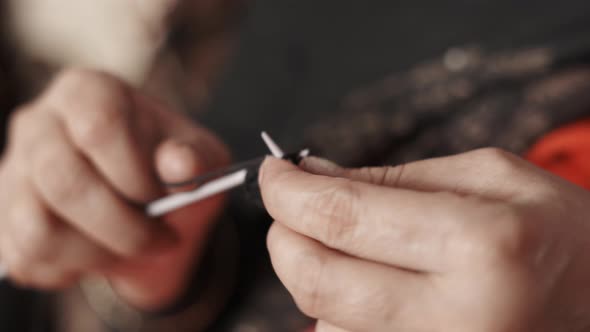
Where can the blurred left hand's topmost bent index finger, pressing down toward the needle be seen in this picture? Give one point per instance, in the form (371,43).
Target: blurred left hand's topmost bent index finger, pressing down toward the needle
(101,118)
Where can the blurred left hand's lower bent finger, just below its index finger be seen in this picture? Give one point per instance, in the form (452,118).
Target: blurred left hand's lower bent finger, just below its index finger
(73,190)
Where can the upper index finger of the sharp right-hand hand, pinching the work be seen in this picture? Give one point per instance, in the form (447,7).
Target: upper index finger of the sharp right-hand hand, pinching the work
(400,227)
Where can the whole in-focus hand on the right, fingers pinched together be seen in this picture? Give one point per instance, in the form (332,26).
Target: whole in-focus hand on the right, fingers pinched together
(481,241)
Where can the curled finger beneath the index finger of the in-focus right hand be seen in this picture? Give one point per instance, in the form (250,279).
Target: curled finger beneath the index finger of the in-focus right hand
(348,292)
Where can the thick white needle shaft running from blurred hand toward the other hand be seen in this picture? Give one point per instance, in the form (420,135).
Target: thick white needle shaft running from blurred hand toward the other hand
(170,203)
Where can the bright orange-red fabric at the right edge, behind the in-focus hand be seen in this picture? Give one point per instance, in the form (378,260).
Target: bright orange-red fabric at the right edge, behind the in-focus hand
(565,152)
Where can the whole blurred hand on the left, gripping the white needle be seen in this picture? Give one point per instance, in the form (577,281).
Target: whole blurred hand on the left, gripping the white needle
(81,162)
